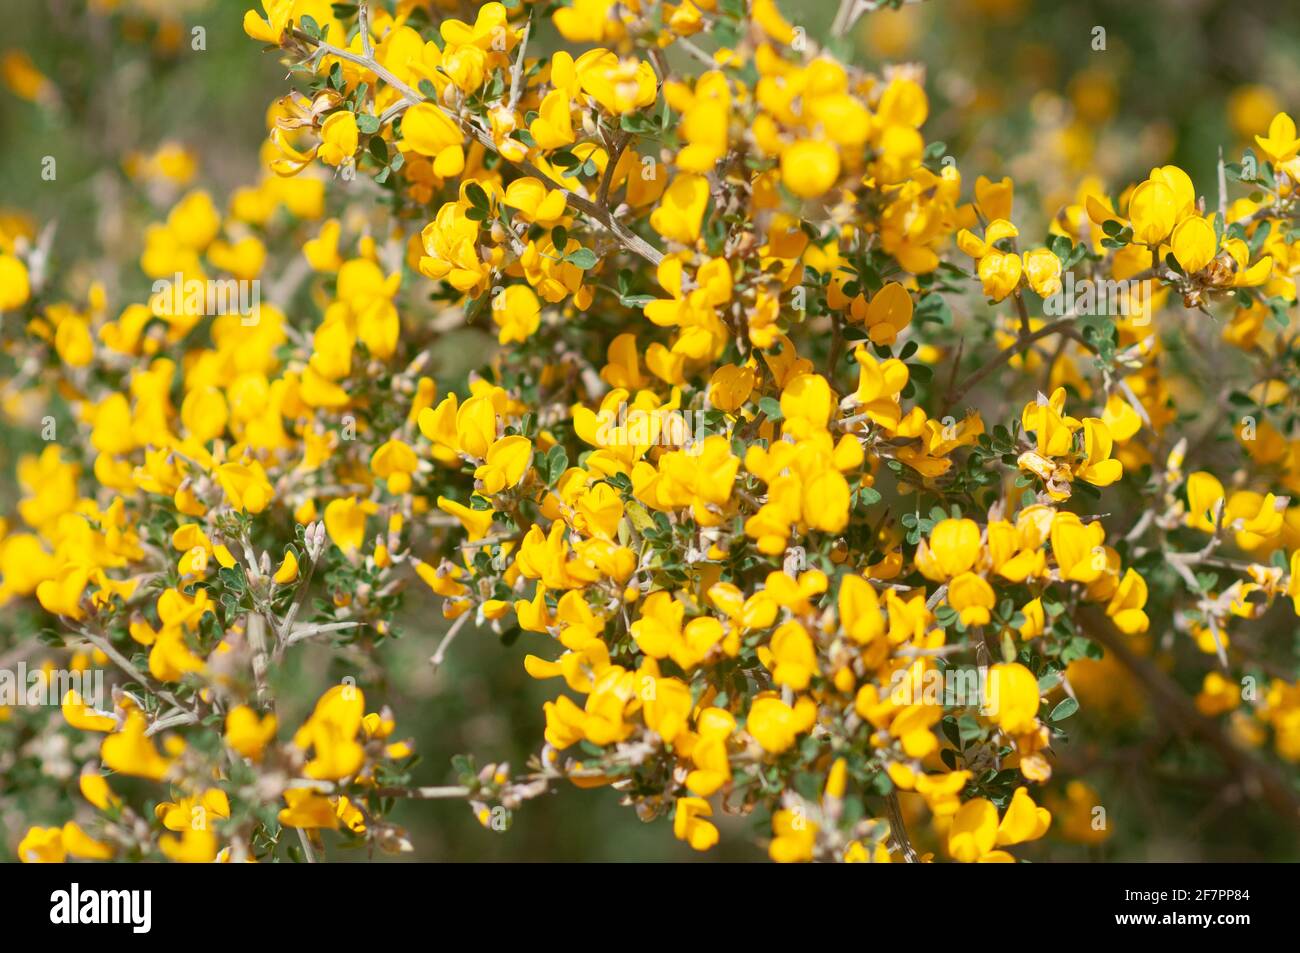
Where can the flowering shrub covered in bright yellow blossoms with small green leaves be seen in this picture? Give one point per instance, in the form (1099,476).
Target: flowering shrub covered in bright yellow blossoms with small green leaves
(818,480)
